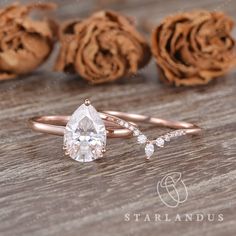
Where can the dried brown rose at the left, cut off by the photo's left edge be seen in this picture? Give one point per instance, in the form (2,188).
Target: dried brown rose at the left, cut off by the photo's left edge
(24,43)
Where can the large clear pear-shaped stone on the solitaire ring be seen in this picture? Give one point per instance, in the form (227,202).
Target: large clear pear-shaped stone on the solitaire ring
(85,134)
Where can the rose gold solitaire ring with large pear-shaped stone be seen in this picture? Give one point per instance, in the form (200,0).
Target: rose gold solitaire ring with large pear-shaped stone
(85,131)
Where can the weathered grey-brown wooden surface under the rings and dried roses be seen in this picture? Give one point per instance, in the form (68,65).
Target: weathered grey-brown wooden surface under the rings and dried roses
(42,192)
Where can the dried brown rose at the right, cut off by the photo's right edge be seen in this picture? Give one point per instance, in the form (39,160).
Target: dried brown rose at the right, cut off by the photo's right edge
(193,48)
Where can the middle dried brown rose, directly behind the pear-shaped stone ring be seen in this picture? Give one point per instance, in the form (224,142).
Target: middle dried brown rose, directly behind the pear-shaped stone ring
(102,48)
